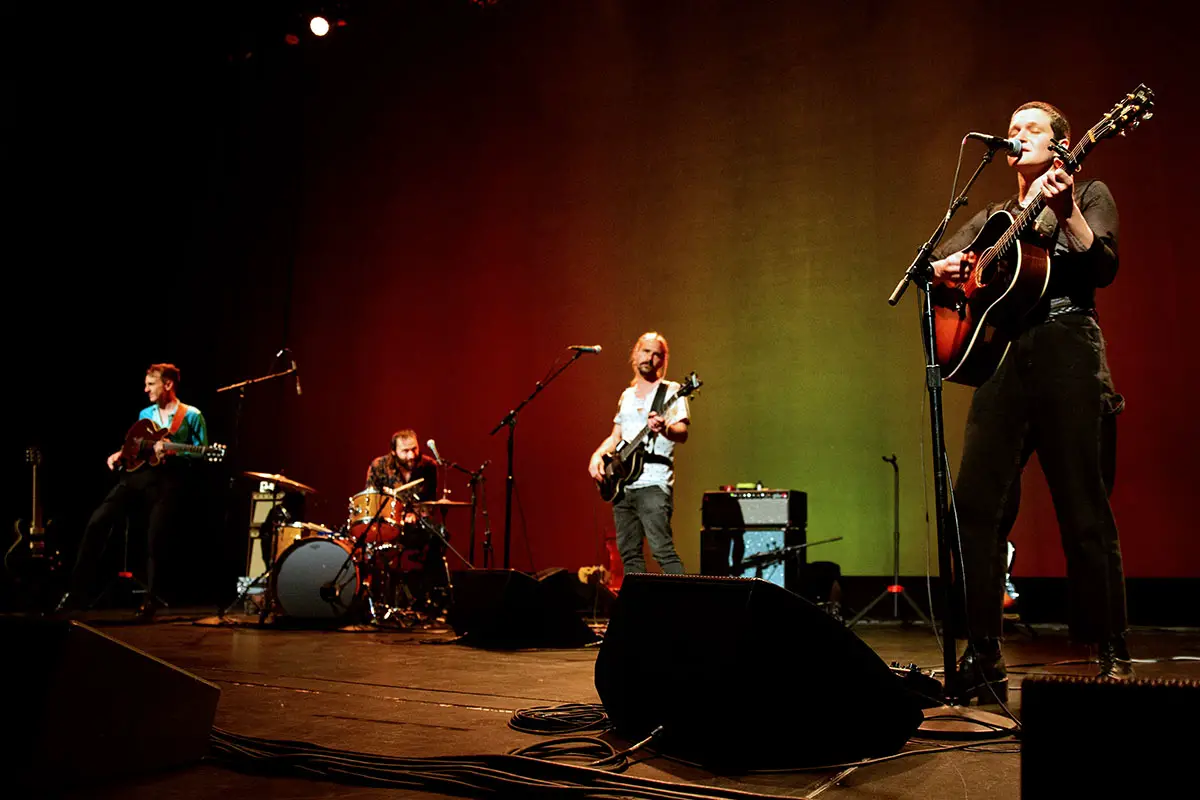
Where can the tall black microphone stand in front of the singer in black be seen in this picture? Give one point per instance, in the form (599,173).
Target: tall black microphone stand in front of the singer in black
(921,272)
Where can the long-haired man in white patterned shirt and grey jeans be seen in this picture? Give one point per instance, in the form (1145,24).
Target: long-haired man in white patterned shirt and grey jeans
(645,509)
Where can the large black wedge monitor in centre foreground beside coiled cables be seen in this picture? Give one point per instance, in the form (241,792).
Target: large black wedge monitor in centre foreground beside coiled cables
(745,675)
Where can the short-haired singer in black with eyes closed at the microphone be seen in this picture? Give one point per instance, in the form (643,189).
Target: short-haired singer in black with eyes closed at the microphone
(1052,394)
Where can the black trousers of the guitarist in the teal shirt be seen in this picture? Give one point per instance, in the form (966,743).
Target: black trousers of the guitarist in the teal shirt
(153,495)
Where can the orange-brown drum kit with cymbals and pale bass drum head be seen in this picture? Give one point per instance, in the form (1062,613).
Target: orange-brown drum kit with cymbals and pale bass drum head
(386,566)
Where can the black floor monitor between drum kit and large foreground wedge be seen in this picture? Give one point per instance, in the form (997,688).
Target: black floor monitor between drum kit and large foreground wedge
(507,610)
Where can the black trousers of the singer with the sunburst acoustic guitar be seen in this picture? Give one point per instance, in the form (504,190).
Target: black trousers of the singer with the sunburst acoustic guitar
(1053,395)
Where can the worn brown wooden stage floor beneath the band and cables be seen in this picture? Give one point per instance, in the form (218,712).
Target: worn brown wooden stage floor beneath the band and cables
(417,694)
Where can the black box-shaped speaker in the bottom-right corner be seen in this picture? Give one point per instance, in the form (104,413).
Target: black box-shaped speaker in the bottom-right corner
(1091,738)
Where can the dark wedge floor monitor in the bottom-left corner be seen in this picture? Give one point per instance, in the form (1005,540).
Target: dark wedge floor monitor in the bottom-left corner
(83,707)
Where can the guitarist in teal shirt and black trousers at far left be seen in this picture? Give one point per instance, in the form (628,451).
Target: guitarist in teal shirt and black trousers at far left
(153,479)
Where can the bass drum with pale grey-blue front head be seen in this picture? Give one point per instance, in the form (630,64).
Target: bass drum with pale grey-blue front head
(316,579)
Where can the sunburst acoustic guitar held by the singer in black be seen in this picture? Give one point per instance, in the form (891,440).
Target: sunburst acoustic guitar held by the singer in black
(973,320)
